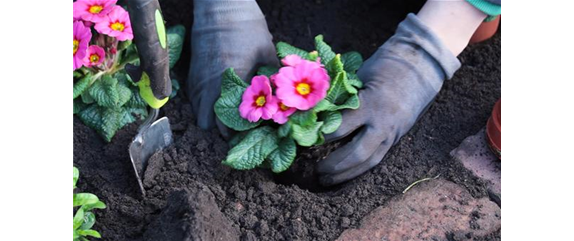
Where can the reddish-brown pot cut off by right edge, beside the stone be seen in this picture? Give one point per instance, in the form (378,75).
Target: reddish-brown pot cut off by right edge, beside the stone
(494,134)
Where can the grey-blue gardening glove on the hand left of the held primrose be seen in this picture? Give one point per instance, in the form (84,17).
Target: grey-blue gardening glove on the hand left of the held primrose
(226,33)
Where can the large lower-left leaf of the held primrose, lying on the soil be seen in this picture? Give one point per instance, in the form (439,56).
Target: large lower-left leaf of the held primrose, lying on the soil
(252,150)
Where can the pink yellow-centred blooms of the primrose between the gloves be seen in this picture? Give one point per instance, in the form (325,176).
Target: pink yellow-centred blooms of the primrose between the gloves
(300,85)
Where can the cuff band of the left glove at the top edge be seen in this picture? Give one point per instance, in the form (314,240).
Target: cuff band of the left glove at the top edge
(218,12)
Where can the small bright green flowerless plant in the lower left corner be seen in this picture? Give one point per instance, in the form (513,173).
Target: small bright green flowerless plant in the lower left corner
(84,218)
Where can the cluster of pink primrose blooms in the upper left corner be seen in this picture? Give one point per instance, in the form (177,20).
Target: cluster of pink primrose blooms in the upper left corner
(108,19)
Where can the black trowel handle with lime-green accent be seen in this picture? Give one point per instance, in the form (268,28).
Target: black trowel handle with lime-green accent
(151,40)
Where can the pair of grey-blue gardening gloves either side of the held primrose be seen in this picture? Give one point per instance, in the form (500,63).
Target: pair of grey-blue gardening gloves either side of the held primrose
(401,80)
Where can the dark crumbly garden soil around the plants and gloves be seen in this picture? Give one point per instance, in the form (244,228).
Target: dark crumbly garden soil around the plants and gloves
(191,196)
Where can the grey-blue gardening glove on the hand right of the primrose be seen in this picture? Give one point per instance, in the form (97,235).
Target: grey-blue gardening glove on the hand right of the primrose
(401,80)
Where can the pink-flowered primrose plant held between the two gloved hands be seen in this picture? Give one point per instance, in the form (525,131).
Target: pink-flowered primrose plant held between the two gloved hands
(282,107)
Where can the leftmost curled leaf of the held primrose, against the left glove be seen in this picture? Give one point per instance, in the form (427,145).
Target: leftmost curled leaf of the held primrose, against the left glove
(227,106)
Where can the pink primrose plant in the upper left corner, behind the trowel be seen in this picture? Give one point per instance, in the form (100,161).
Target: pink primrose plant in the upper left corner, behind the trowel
(105,97)
